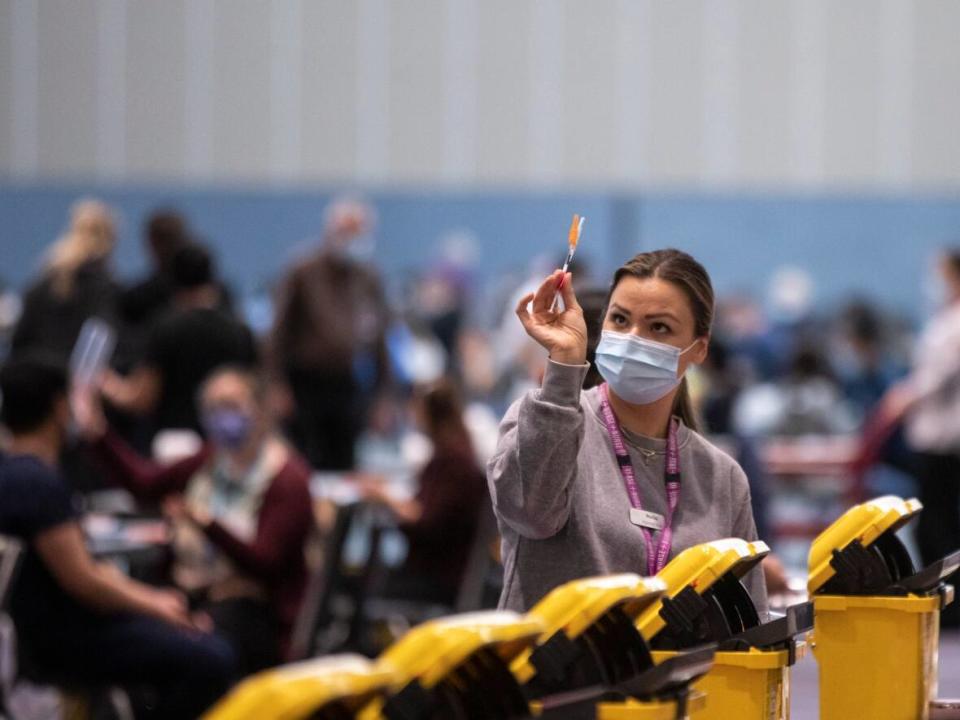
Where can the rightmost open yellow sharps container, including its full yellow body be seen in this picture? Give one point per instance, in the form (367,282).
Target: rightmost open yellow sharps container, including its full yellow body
(876,636)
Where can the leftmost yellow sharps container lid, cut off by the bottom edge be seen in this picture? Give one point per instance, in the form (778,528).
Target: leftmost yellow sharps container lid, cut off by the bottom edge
(330,688)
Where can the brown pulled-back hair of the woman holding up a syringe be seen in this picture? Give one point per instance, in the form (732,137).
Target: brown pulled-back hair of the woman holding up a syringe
(682,270)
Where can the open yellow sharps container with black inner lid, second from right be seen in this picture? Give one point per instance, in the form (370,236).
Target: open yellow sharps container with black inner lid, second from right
(706,602)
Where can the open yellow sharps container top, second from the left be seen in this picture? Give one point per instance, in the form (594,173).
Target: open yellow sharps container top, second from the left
(456,667)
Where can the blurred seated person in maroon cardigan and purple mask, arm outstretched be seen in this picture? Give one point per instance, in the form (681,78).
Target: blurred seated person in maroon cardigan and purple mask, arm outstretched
(241,512)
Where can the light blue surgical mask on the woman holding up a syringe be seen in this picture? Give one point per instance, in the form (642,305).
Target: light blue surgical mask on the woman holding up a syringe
(638,370)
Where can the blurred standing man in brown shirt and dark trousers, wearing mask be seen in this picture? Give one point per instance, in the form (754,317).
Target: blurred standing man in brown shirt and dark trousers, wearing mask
(327,354)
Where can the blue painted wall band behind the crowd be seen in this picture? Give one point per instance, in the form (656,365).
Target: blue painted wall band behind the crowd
(874,246)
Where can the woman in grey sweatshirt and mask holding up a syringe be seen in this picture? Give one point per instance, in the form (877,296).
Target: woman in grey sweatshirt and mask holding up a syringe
(615,478)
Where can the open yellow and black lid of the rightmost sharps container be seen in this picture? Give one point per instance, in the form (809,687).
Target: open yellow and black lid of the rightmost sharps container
(860,553)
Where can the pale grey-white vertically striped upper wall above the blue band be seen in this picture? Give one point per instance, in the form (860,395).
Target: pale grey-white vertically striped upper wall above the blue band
(723,94)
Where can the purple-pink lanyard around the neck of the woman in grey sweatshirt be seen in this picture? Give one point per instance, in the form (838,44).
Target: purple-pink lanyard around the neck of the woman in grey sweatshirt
(656,559)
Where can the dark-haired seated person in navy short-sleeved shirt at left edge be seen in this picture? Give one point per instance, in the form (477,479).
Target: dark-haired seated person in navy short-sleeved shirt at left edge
(80,621)
